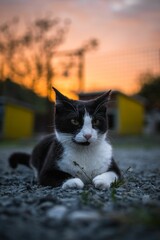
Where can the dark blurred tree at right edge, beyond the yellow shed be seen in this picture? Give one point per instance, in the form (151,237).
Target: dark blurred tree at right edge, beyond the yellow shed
(150,89)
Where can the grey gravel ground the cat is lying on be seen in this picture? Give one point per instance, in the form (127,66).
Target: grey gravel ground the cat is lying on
(129,210)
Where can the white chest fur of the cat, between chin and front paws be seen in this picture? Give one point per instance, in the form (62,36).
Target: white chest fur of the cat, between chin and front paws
(86,162)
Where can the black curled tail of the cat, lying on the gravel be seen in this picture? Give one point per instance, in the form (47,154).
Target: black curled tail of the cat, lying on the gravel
(19,158)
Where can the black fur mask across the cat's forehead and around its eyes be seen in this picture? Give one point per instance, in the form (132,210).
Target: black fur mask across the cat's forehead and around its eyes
(66,111)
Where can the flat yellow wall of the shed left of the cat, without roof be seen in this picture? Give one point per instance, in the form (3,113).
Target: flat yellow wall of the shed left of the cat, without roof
(18,121)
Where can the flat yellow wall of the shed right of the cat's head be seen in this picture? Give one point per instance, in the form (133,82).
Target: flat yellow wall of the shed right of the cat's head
(130,114)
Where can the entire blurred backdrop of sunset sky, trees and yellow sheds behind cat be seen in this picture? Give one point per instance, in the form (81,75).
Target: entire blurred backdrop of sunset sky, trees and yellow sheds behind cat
(83,48)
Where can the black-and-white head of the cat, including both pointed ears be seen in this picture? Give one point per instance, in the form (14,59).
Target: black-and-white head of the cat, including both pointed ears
(81,122)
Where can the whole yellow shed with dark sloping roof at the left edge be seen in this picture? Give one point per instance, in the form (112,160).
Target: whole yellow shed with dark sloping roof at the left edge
(16,120)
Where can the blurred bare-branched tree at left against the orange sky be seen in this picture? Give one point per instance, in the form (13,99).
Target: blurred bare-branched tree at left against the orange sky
(30,55)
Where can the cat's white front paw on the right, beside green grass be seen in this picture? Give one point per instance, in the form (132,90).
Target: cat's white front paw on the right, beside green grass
(104,180)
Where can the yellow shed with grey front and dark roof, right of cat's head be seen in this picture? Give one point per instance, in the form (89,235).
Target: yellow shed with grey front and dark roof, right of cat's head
(126,114)
